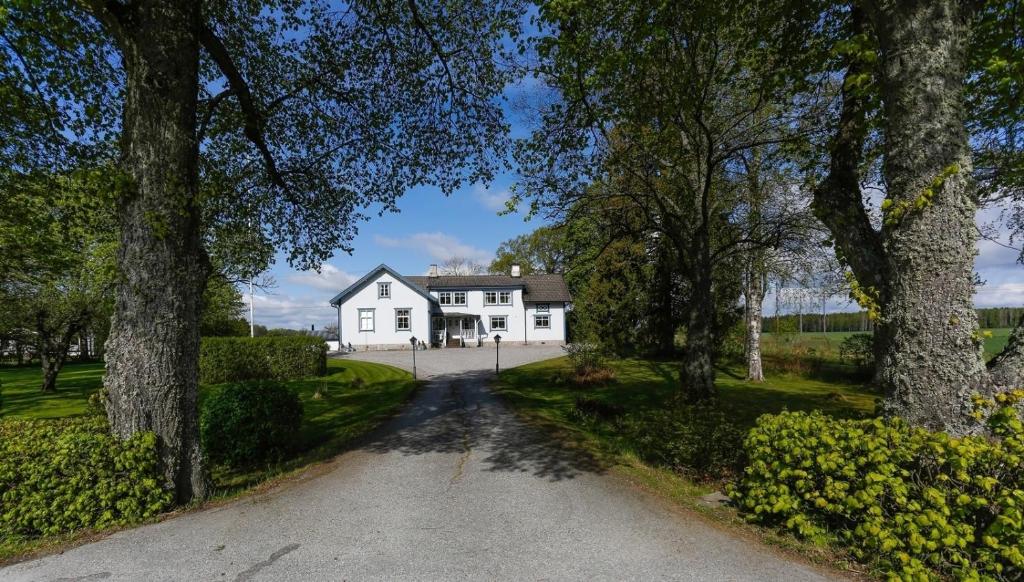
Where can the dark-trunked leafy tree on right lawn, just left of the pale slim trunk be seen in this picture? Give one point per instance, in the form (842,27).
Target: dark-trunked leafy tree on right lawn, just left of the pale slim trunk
(659,101)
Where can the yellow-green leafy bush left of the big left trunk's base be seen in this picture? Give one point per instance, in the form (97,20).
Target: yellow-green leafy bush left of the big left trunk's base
(61,476)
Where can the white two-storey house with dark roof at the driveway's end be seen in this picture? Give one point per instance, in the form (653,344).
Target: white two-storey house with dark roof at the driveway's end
(385,310)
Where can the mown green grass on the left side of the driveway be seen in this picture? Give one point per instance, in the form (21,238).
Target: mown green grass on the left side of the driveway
(353,399)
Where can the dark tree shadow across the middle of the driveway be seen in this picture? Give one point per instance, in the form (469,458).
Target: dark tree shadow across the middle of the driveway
(457,414)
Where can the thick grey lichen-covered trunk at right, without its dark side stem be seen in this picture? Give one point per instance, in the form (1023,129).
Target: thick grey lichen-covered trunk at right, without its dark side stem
(931,357)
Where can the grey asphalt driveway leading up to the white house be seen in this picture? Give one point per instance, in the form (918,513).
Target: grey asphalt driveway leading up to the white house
(456,488)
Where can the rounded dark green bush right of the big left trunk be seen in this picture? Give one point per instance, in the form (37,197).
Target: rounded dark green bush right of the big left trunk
(250,423)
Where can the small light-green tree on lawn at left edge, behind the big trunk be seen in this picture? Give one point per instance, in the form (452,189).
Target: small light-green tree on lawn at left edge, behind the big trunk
(60,272)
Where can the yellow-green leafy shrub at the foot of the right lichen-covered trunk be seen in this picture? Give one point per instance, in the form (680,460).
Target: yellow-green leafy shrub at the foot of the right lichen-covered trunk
(923,505)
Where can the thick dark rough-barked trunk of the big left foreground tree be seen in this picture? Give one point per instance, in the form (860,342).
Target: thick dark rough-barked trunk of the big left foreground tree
(153,350)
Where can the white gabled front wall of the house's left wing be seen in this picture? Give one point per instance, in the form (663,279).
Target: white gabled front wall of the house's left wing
(385,334)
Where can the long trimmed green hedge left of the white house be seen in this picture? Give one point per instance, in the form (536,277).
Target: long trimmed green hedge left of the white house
(237,359)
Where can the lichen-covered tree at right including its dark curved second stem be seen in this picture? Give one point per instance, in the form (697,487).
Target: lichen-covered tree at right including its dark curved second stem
(906,69)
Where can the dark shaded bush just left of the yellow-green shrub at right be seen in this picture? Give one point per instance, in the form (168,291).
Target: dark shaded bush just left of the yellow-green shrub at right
(699,441)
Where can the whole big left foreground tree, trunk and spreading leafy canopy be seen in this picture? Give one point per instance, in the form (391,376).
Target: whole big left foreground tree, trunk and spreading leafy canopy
(303,113)
